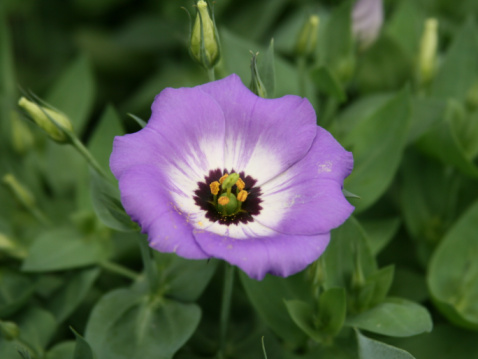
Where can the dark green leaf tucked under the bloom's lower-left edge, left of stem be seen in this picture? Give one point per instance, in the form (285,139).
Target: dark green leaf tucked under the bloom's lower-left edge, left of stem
(184,279)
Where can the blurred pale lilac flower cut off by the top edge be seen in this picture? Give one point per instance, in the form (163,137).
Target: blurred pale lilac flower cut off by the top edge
(367,20)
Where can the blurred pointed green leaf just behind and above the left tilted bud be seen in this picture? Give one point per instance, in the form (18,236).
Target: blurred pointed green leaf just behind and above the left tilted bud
(74,93)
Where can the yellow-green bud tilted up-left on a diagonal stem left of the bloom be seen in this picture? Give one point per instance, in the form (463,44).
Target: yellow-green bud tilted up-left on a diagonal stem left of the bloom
(44,118)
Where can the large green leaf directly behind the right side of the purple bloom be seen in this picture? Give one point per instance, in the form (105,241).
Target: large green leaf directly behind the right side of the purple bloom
(377,143)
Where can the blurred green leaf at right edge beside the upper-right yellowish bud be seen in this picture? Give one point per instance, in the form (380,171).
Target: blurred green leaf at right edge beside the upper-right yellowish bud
(459,69)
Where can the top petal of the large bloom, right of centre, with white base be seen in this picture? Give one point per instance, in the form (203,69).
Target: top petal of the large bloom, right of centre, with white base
(263,136)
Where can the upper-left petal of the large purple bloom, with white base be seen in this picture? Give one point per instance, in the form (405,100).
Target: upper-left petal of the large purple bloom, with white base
(184,140)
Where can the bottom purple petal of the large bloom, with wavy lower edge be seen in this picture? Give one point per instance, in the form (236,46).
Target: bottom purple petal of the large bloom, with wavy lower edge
(281,255)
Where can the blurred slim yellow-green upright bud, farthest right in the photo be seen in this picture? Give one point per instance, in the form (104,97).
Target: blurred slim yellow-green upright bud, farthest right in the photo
(428,51)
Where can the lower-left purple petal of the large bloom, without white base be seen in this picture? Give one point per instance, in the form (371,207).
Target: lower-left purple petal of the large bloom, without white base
(148,203)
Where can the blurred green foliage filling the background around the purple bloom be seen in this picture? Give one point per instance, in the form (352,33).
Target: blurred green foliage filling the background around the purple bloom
(402,272)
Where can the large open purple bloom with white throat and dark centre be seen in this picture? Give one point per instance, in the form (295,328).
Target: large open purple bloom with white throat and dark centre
(220,172)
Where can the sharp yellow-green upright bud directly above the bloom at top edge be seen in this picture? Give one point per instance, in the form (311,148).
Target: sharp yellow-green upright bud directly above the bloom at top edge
(204,43)
